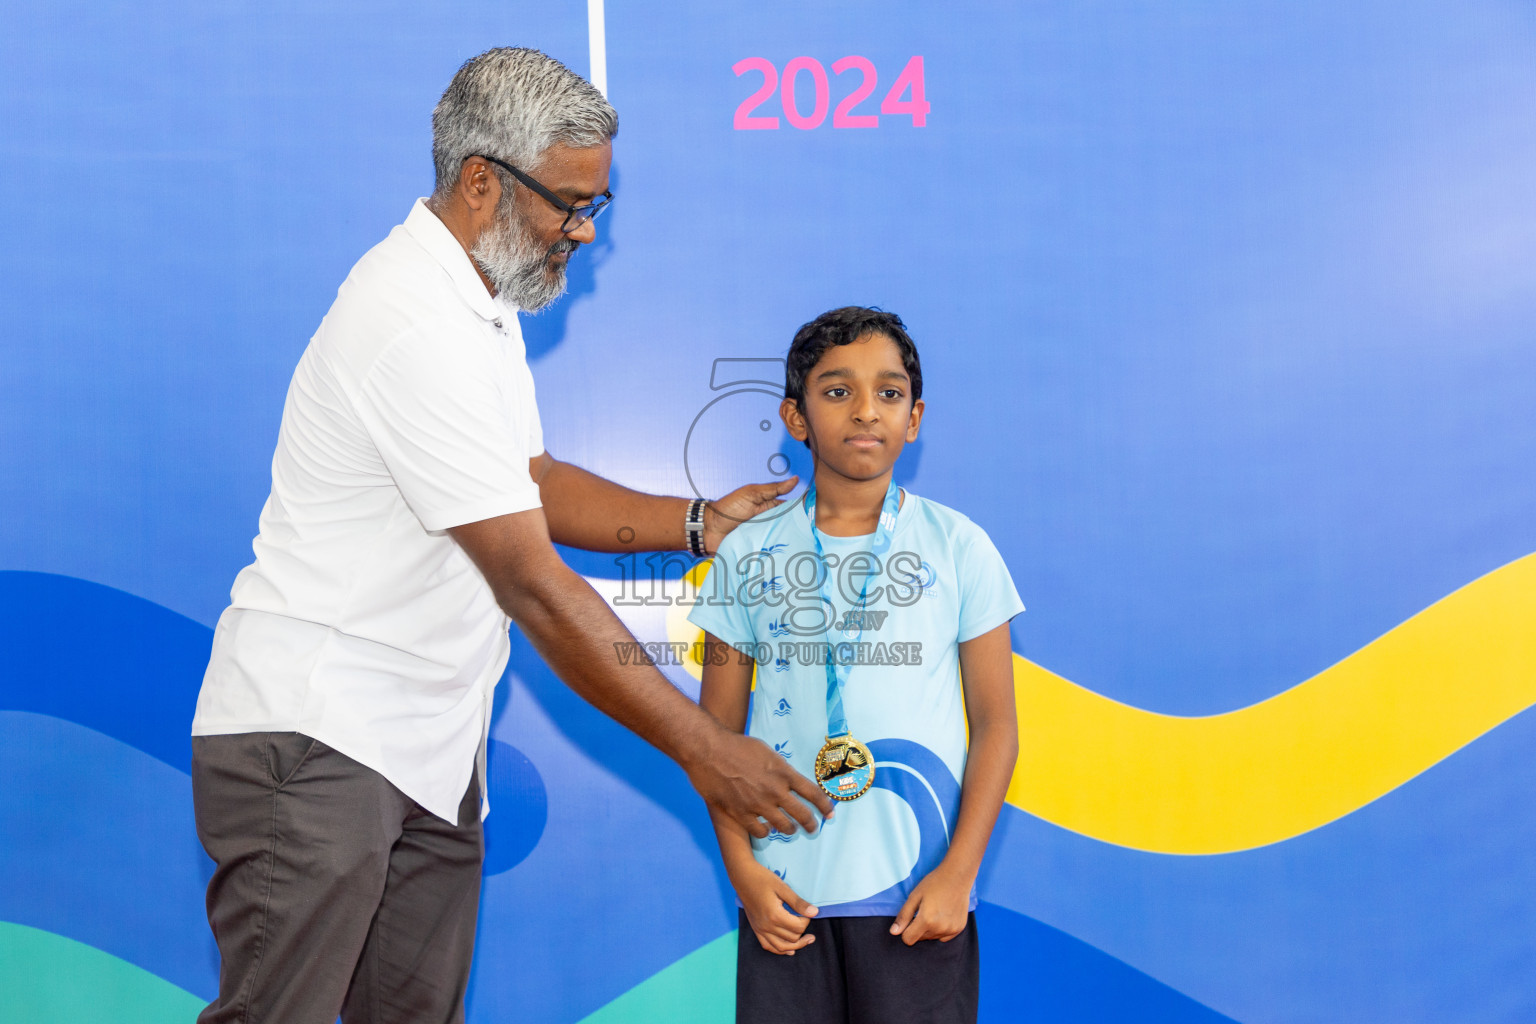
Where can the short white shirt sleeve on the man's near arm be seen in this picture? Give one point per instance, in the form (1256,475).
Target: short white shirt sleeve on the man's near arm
(452,428)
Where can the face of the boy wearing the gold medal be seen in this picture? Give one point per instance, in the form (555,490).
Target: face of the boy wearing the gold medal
(859,411)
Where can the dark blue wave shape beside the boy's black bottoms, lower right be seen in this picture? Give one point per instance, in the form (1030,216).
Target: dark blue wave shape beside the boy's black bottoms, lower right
(1033,973)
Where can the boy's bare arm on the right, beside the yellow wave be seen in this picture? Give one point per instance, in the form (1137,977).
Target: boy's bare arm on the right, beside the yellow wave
(941,902)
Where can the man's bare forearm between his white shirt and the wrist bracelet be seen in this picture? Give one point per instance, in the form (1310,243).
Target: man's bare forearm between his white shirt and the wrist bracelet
(589,512)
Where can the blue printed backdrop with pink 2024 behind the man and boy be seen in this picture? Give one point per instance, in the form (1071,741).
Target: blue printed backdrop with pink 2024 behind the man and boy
(1226,317)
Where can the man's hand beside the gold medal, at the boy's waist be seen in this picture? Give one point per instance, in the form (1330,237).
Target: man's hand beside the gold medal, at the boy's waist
(747,784)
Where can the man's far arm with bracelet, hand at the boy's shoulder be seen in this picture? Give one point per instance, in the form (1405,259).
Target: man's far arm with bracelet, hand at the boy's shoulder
(588,512)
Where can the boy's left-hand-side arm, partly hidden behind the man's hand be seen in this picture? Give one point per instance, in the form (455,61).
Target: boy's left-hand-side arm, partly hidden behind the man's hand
(726,695)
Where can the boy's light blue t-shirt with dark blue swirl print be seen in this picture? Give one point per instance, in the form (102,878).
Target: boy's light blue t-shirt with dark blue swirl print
(942,583)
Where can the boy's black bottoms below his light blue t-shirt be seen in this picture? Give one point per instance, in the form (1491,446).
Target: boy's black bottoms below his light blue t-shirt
(858,973)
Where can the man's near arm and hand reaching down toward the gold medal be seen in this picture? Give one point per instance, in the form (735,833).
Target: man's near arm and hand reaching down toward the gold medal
(577,635)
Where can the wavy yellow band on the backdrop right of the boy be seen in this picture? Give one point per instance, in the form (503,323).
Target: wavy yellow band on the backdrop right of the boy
(1288,765)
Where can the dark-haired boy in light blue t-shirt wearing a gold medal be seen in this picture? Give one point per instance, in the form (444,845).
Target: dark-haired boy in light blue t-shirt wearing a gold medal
(859,609)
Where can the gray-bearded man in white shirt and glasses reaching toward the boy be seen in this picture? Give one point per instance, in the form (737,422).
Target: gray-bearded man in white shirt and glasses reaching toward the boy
(412,515)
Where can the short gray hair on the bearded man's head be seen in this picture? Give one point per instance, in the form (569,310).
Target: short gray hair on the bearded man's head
(514,105)
